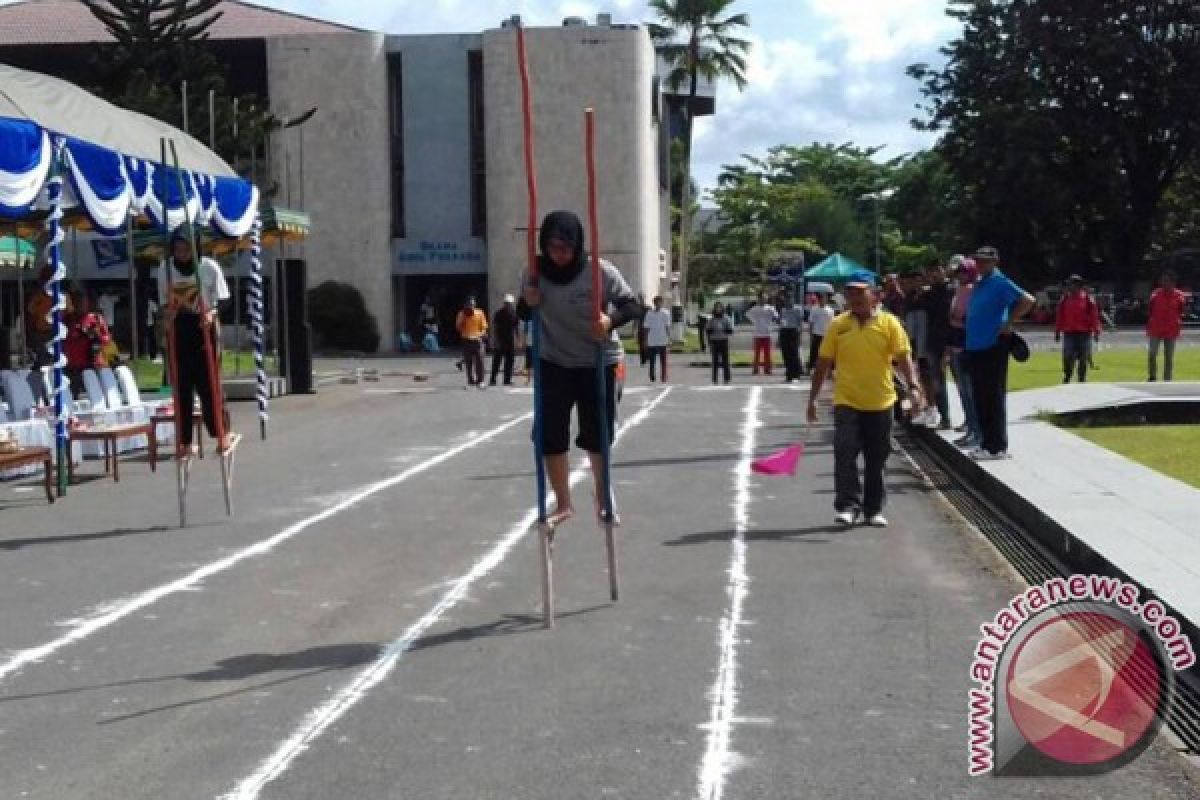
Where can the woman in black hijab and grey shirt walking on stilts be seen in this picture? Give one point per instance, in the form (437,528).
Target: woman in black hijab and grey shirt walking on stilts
(569,341)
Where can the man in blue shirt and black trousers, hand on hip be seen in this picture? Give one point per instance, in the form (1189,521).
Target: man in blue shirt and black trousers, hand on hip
(997,303)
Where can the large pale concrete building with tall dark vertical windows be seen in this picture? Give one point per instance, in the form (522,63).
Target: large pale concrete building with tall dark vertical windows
(412,167)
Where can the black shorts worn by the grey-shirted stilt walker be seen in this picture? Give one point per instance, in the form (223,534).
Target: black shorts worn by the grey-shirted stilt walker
(567,388)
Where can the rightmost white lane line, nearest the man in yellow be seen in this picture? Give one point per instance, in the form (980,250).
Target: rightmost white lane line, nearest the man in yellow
(718,756)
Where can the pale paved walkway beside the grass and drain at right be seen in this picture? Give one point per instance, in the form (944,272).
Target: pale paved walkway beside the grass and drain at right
(1141,521)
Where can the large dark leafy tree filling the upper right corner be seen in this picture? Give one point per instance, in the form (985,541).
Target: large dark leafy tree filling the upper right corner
(1067,122)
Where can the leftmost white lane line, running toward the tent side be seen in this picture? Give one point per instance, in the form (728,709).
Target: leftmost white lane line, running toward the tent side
(121,610)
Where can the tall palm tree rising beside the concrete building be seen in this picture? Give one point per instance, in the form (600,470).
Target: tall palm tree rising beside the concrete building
(698,40)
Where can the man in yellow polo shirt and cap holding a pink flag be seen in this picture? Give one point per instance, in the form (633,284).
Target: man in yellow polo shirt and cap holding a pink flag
(862,345)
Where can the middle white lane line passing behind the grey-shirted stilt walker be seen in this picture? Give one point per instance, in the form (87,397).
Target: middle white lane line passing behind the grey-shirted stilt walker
(321,719)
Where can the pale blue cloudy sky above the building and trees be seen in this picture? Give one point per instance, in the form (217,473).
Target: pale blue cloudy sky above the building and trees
(820,70)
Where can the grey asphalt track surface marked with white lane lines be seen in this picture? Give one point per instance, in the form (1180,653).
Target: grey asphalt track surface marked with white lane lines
(368,624)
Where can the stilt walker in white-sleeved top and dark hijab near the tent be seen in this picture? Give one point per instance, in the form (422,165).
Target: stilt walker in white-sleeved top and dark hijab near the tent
(190,294)
